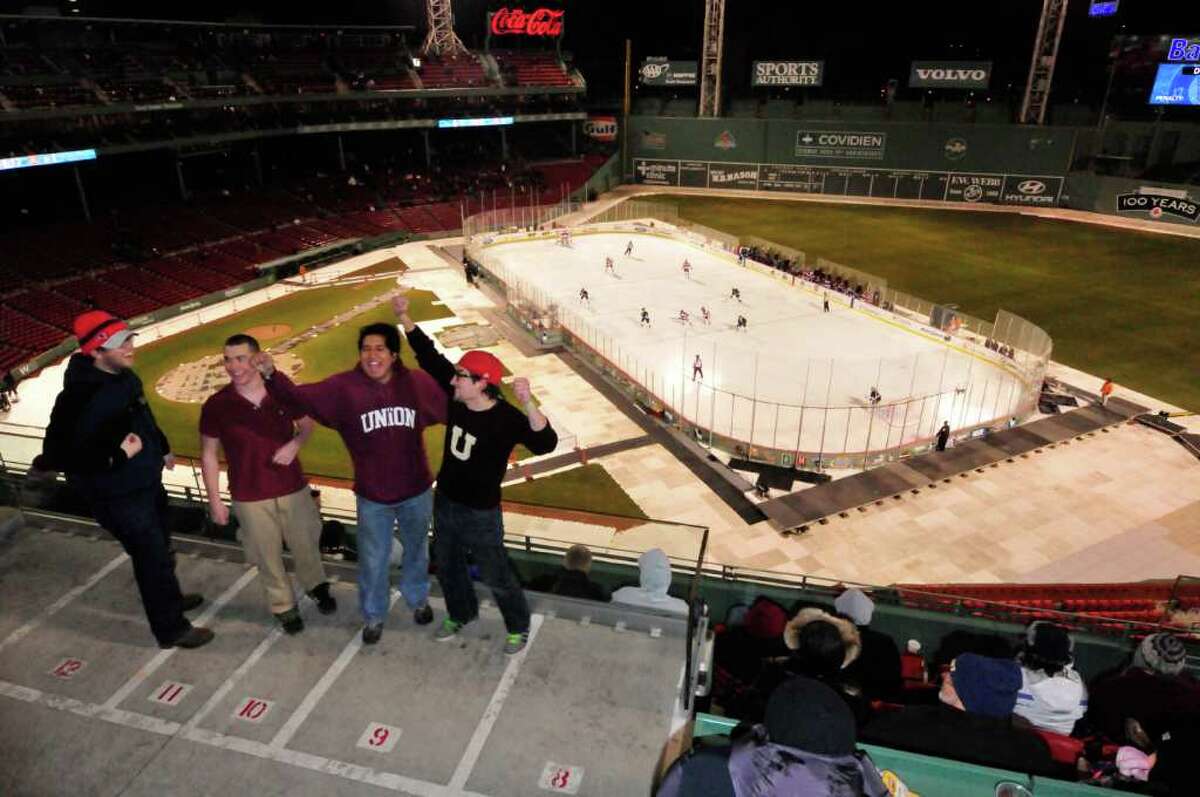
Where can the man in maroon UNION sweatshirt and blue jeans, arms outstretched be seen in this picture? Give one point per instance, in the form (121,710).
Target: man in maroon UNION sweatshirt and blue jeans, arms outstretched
(380,409)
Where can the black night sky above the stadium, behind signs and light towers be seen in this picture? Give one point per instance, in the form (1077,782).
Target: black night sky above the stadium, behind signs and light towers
(863,44)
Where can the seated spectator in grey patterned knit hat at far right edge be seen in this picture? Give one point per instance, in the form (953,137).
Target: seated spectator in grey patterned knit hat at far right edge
(1150,691)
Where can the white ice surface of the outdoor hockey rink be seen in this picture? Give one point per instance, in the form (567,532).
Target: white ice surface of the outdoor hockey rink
(796,377)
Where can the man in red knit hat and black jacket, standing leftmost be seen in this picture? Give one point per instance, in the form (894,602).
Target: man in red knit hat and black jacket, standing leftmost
(104,436)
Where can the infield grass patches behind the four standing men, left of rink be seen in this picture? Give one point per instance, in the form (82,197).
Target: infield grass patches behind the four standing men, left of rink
(337,350)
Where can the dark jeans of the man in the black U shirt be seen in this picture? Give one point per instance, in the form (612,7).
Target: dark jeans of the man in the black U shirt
(458,530)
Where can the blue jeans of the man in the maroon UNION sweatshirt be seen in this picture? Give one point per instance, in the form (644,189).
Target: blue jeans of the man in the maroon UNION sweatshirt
(375,538)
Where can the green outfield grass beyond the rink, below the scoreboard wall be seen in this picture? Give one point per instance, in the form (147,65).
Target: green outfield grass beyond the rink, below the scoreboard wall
(1119,304)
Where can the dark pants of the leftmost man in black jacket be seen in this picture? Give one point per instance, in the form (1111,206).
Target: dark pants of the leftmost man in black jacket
(139,522)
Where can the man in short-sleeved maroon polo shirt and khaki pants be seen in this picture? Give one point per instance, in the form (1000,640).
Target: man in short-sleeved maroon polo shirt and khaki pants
(272,500)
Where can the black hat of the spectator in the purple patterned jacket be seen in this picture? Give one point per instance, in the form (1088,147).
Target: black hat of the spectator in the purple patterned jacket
(809,716)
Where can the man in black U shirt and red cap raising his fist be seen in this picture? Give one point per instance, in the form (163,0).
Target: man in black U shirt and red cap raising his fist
(482,432)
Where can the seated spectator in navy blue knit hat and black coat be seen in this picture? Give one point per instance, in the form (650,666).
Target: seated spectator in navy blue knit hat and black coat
(974,722)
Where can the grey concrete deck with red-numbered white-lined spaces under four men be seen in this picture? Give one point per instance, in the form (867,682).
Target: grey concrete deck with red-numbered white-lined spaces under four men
(89,705)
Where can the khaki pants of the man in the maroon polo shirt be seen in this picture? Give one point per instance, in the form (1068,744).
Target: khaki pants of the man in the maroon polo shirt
(263,529)
